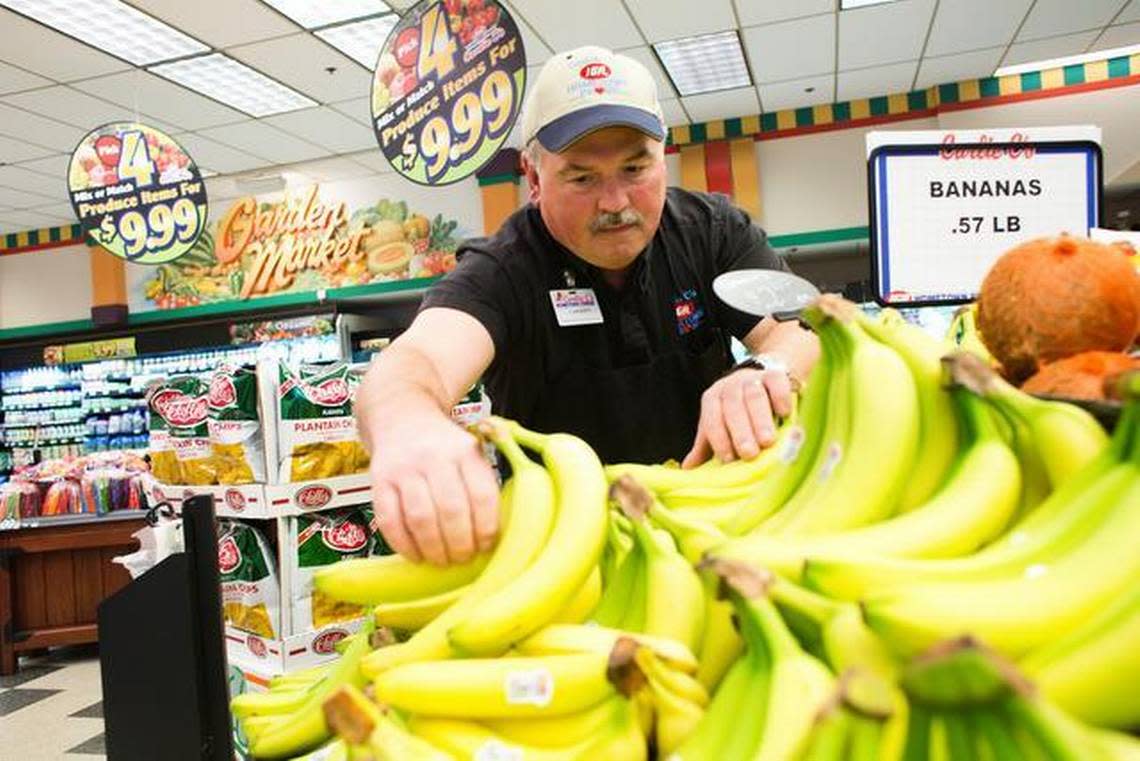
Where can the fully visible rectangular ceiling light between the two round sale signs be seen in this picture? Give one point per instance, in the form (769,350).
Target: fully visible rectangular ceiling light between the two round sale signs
(234,84)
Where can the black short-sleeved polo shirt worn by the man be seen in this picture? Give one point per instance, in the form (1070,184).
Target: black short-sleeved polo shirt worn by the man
(632,384)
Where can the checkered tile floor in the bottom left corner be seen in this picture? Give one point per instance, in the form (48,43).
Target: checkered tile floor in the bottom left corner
(52,709)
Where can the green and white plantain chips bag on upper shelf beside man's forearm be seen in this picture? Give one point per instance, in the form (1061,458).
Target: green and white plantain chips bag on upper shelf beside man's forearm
(317,431)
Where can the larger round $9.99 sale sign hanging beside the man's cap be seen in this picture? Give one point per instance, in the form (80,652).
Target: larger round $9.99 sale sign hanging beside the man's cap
(447,89)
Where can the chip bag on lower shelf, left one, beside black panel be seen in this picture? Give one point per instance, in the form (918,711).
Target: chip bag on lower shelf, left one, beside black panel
(250,590)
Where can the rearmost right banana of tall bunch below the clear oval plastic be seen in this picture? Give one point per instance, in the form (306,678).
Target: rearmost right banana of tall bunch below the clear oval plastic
(939,437)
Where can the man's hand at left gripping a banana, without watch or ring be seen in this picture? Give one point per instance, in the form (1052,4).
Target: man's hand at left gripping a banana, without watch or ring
(435,494)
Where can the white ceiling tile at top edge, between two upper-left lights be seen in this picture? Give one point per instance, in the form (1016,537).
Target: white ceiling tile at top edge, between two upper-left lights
(221,23)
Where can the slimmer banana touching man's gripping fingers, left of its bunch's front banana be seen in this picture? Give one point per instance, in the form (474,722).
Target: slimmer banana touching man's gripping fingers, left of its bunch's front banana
(527,525)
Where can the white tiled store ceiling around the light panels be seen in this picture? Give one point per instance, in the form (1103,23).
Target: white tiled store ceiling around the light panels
(802,53)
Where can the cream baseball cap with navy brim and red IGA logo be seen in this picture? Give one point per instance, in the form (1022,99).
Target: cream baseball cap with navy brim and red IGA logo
(588,89)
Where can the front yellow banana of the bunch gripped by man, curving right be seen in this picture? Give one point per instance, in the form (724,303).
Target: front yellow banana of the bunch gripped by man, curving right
(564,564)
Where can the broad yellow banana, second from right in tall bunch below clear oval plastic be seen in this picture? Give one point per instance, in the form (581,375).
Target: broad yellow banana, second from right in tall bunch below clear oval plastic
(869,479)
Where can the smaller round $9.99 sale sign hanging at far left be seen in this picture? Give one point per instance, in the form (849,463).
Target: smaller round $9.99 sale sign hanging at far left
(137,193)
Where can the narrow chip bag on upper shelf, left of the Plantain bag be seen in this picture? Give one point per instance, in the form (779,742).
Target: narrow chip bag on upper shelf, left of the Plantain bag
(235,427)
